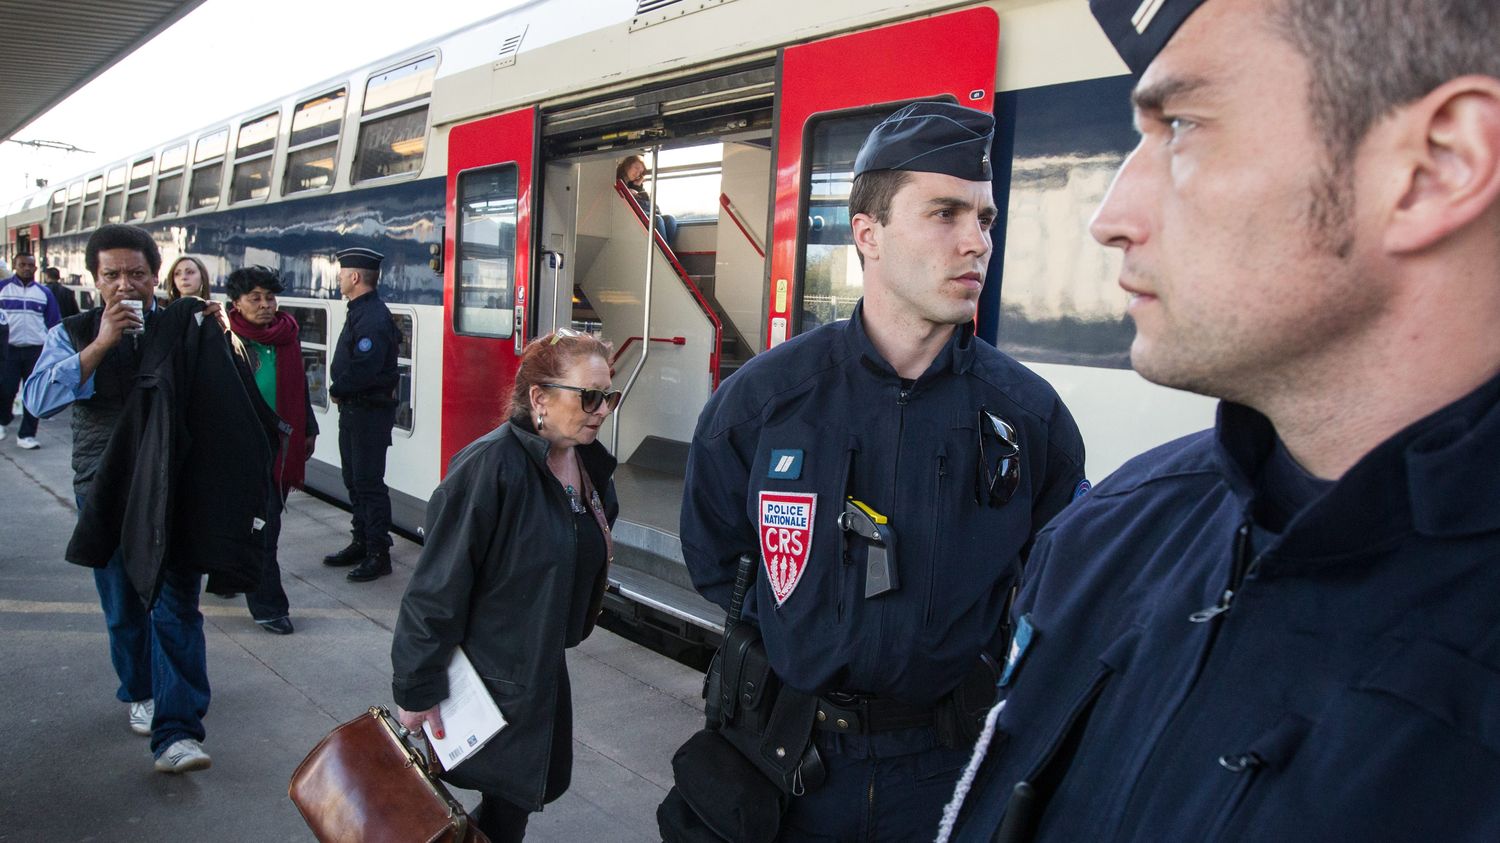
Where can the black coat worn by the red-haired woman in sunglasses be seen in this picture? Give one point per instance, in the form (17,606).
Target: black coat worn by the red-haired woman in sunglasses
(497,577)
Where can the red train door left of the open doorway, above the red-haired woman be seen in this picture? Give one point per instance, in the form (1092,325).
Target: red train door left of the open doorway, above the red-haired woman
(488,277)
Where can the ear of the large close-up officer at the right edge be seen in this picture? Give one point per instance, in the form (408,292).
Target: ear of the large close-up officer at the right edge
(1453,164)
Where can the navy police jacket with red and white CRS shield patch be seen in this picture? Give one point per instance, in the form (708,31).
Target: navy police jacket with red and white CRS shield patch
(827,403)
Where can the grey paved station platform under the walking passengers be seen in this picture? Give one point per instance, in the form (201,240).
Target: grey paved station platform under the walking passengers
(74,772)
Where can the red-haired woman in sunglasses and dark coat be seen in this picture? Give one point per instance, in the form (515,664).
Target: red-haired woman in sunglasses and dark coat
(514,571)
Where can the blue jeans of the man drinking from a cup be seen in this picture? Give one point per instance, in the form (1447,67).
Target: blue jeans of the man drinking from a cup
(158,653)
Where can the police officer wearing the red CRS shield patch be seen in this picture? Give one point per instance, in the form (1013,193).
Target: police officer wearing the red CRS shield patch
(889,472)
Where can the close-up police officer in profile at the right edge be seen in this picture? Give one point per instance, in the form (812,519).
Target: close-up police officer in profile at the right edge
(1286,628)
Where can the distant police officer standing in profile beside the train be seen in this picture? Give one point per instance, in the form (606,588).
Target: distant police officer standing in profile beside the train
(364,385)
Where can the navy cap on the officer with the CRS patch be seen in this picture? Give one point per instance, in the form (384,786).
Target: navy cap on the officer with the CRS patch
(931,137)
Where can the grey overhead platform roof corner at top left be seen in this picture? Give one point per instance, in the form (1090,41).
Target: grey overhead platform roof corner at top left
(55,47)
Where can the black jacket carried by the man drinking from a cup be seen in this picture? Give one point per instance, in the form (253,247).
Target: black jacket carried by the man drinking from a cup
(187,476)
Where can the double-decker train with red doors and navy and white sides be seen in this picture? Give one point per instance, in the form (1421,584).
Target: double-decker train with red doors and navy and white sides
(484,166)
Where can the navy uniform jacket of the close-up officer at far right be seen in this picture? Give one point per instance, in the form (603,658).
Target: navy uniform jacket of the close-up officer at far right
(1351,691)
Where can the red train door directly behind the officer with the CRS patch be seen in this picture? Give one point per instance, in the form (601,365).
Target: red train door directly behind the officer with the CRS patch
(827,98)
